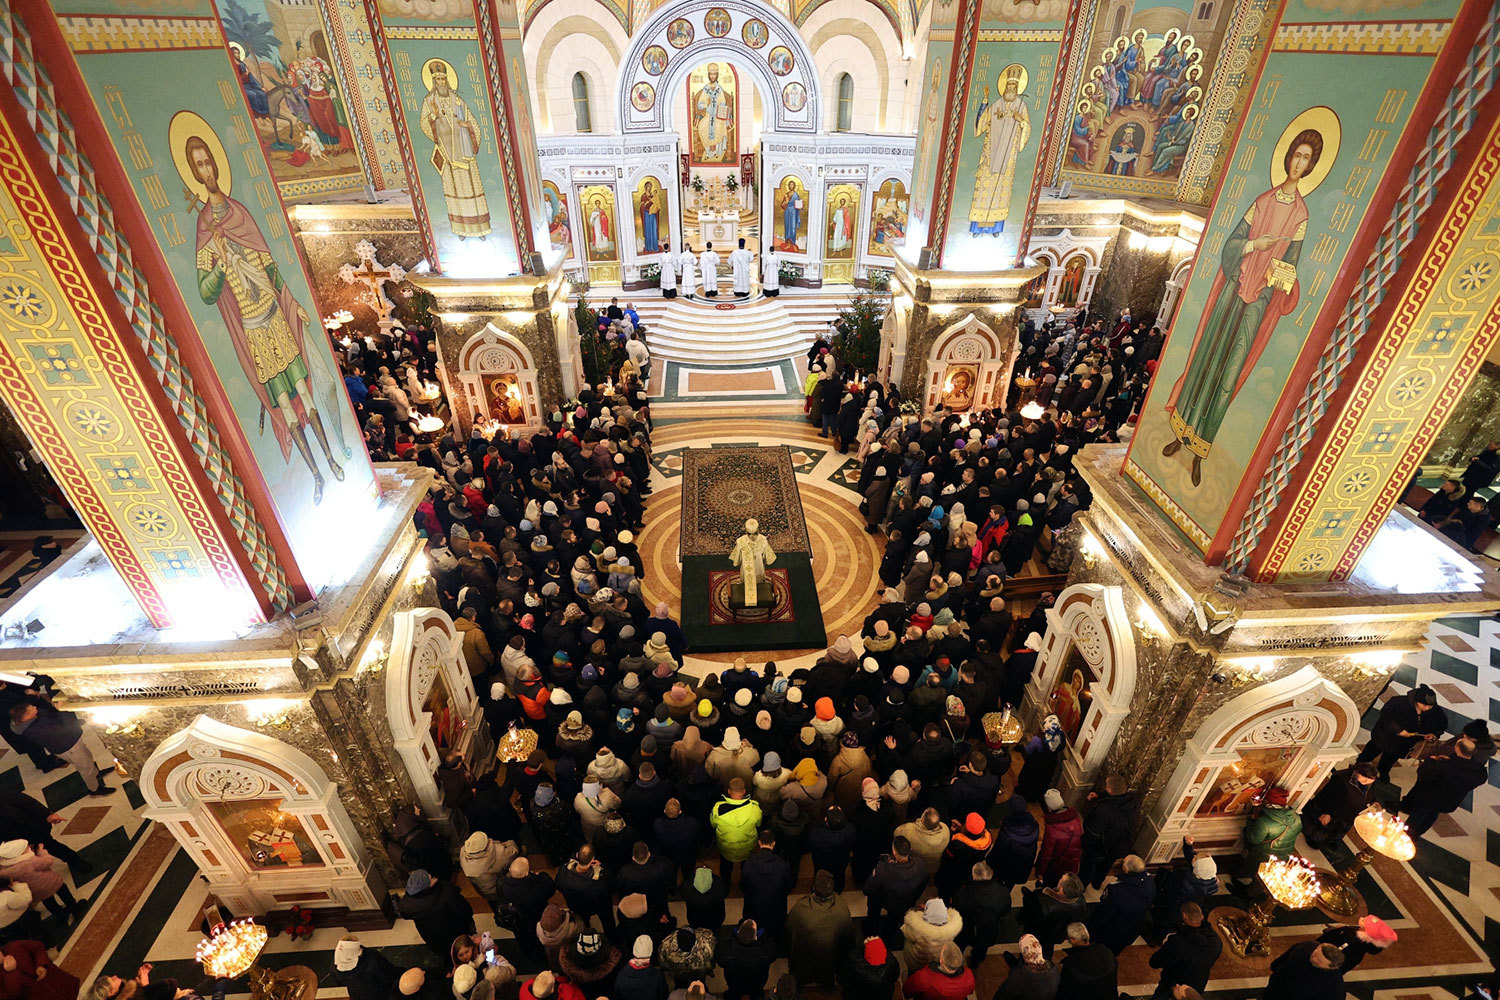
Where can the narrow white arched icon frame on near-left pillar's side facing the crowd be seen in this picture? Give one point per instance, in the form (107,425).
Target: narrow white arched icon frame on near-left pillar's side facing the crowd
(433,707)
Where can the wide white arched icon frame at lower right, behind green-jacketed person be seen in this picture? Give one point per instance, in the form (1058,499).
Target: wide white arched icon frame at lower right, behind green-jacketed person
(1295,728)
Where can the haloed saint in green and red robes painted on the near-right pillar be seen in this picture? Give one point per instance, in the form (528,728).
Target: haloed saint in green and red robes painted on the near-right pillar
(1253,290)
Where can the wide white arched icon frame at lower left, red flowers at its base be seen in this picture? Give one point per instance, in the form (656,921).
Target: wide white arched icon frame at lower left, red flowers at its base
(260,819)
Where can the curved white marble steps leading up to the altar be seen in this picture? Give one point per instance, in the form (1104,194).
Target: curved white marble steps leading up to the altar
(761,331)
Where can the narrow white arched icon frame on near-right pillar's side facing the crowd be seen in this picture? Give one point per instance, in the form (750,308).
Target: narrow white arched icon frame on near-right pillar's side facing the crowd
(1091,620)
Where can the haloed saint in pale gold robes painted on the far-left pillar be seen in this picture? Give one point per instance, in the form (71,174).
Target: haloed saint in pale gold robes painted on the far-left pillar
(457,137)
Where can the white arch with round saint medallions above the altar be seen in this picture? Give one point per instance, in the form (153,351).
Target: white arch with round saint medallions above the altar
(770,56)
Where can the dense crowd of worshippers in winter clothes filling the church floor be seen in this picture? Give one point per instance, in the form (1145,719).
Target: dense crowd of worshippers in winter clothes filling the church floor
(659,800)
